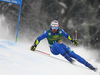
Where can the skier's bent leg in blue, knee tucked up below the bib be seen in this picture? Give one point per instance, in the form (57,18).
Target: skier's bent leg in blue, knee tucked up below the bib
(56,48)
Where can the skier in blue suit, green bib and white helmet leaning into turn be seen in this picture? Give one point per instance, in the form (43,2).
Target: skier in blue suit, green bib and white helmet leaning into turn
(54,35)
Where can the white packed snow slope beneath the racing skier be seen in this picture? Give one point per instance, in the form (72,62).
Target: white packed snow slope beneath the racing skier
(17,59)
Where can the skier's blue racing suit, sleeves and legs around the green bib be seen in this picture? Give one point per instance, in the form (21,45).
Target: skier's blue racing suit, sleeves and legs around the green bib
(60,48)
